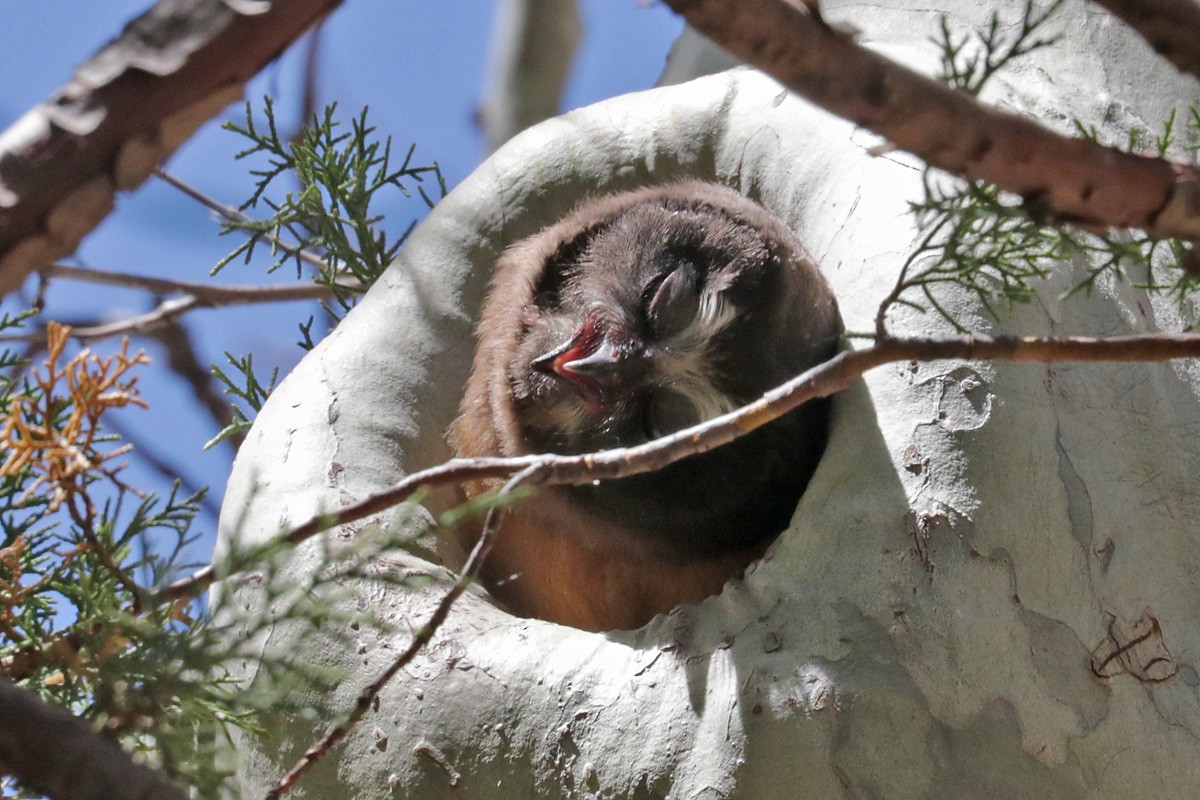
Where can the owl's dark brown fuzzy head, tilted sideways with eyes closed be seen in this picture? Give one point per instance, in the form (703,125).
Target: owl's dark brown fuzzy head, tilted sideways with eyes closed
(664,310)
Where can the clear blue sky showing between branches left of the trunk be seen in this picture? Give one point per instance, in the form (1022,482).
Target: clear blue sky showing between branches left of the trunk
(421,69)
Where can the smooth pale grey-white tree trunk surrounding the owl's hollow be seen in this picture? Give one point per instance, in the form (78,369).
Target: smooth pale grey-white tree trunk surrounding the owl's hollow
(988,591)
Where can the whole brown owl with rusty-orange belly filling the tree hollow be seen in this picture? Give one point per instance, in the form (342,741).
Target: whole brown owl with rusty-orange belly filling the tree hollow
(639,315)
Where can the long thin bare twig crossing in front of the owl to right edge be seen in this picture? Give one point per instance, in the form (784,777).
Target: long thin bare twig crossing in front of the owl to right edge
(823,381)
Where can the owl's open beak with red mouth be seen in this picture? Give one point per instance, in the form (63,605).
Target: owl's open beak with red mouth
(598,362)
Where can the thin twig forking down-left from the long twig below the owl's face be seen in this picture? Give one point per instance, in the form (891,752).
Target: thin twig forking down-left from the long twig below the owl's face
(530,476)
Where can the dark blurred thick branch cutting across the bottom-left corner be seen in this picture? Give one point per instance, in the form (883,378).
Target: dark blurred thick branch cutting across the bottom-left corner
(55,754)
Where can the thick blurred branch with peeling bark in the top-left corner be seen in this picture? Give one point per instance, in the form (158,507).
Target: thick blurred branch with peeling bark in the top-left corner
(127,111)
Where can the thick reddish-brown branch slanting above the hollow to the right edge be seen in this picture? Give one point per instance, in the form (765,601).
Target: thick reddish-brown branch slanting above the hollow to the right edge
(1072,181)
